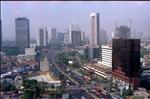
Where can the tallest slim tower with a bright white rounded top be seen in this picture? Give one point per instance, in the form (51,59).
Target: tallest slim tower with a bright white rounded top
(95,27)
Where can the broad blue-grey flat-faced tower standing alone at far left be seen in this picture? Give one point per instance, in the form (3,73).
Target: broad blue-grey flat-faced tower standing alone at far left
(22,32)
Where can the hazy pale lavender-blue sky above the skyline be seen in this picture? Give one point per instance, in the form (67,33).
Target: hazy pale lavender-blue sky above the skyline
(60,14)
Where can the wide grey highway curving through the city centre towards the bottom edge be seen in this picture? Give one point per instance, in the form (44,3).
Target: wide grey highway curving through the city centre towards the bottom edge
(71,75)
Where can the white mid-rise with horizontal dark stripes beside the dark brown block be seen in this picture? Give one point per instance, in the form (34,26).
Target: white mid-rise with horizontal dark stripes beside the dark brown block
(106,56)
